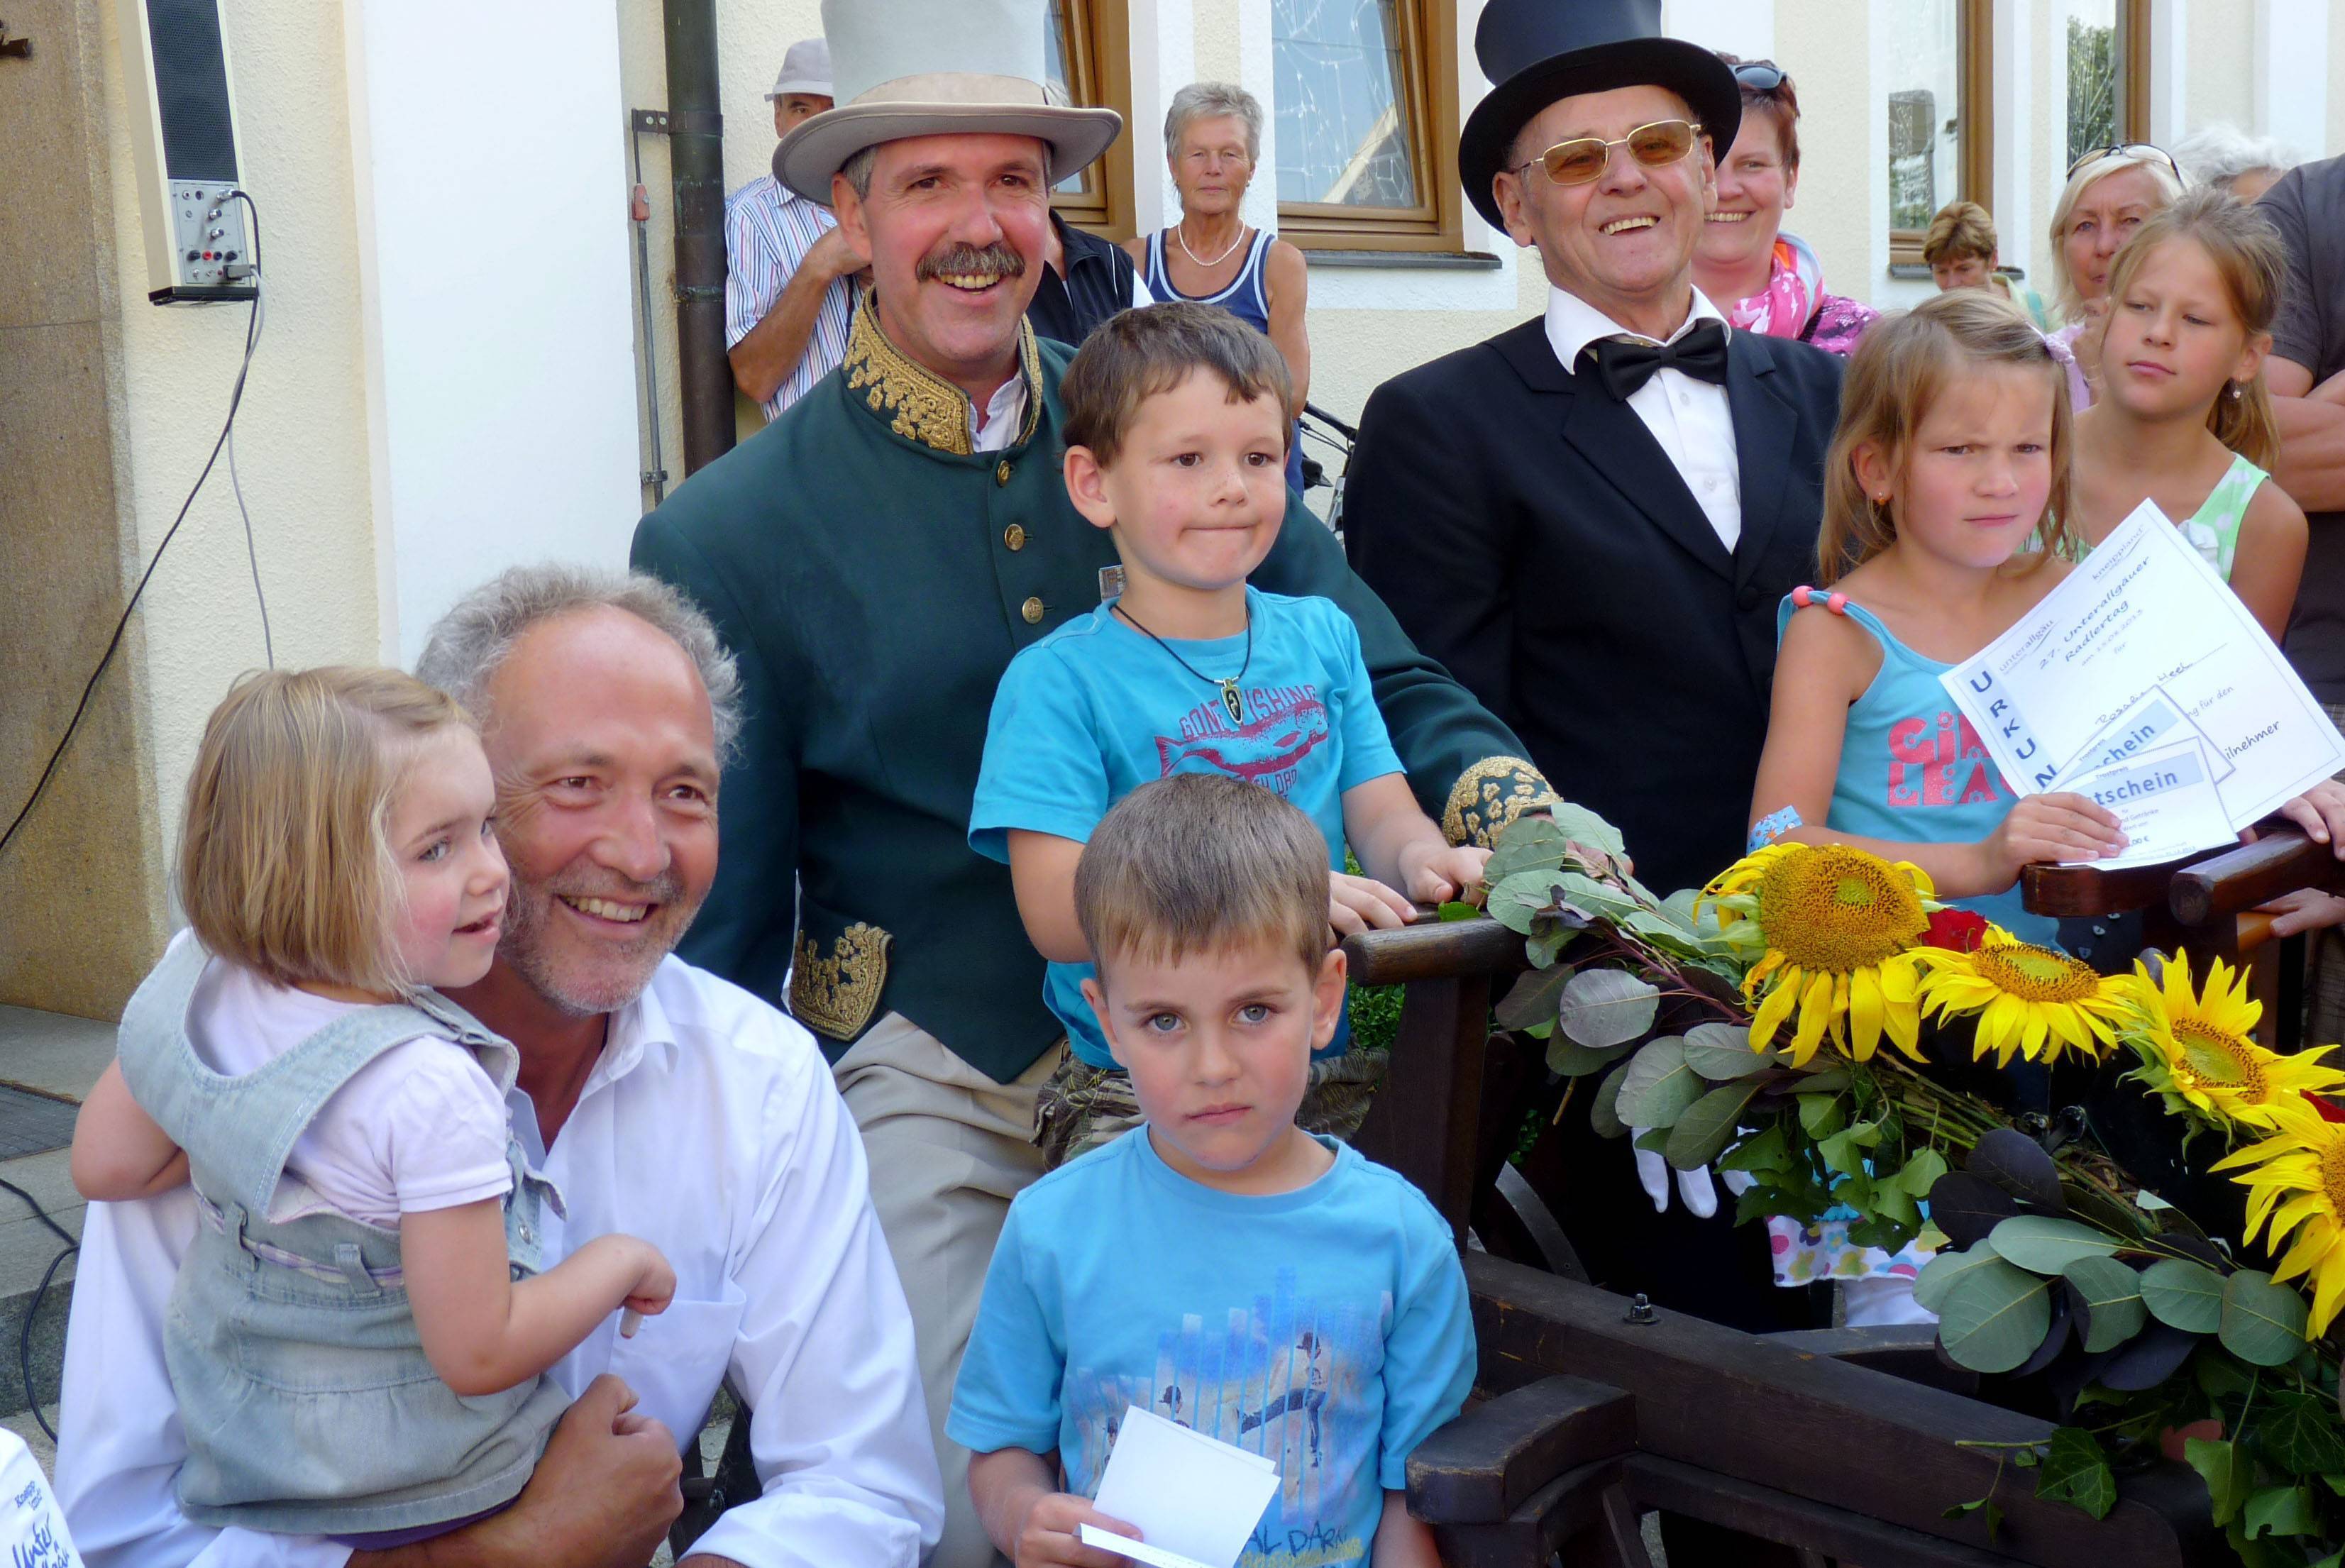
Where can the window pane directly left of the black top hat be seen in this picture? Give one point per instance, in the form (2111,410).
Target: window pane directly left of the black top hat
(1343,104)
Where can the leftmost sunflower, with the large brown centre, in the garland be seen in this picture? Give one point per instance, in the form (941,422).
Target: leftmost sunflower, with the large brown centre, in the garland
(1837,929)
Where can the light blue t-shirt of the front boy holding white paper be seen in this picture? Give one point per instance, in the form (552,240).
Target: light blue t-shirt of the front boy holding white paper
(1324,1330)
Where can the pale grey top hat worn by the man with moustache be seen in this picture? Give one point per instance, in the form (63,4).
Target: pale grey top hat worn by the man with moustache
(937,69)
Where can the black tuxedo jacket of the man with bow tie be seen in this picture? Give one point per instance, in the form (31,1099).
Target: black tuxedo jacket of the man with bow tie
(1530,533)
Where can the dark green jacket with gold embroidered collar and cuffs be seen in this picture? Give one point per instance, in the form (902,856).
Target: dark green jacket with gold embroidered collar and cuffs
(874,575)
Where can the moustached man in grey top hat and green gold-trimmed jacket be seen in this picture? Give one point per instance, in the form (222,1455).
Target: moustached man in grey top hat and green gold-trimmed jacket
(876,559)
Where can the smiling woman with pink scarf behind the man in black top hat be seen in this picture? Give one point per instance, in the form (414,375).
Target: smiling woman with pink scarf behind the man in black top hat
(1765,280)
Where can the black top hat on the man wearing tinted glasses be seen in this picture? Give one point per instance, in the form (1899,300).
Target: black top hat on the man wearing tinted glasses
(1542,50)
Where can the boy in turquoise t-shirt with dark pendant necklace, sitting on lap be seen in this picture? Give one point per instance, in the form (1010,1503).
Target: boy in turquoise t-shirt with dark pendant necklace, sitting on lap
(1176,444)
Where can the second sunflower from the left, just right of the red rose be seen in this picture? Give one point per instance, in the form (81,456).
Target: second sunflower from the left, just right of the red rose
(2032,1002)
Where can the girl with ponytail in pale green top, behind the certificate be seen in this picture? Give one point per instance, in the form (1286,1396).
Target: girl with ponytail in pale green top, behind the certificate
(2184,418)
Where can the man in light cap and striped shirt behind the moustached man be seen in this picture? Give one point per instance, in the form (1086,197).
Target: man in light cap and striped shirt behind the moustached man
(789,289)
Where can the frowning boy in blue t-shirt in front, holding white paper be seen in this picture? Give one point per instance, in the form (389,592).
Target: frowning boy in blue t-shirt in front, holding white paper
(1218,1267)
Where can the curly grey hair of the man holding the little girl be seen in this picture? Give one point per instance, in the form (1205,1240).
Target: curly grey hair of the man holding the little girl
(473,641)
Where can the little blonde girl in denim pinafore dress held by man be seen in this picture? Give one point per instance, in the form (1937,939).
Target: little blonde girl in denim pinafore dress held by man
(360,1335)
